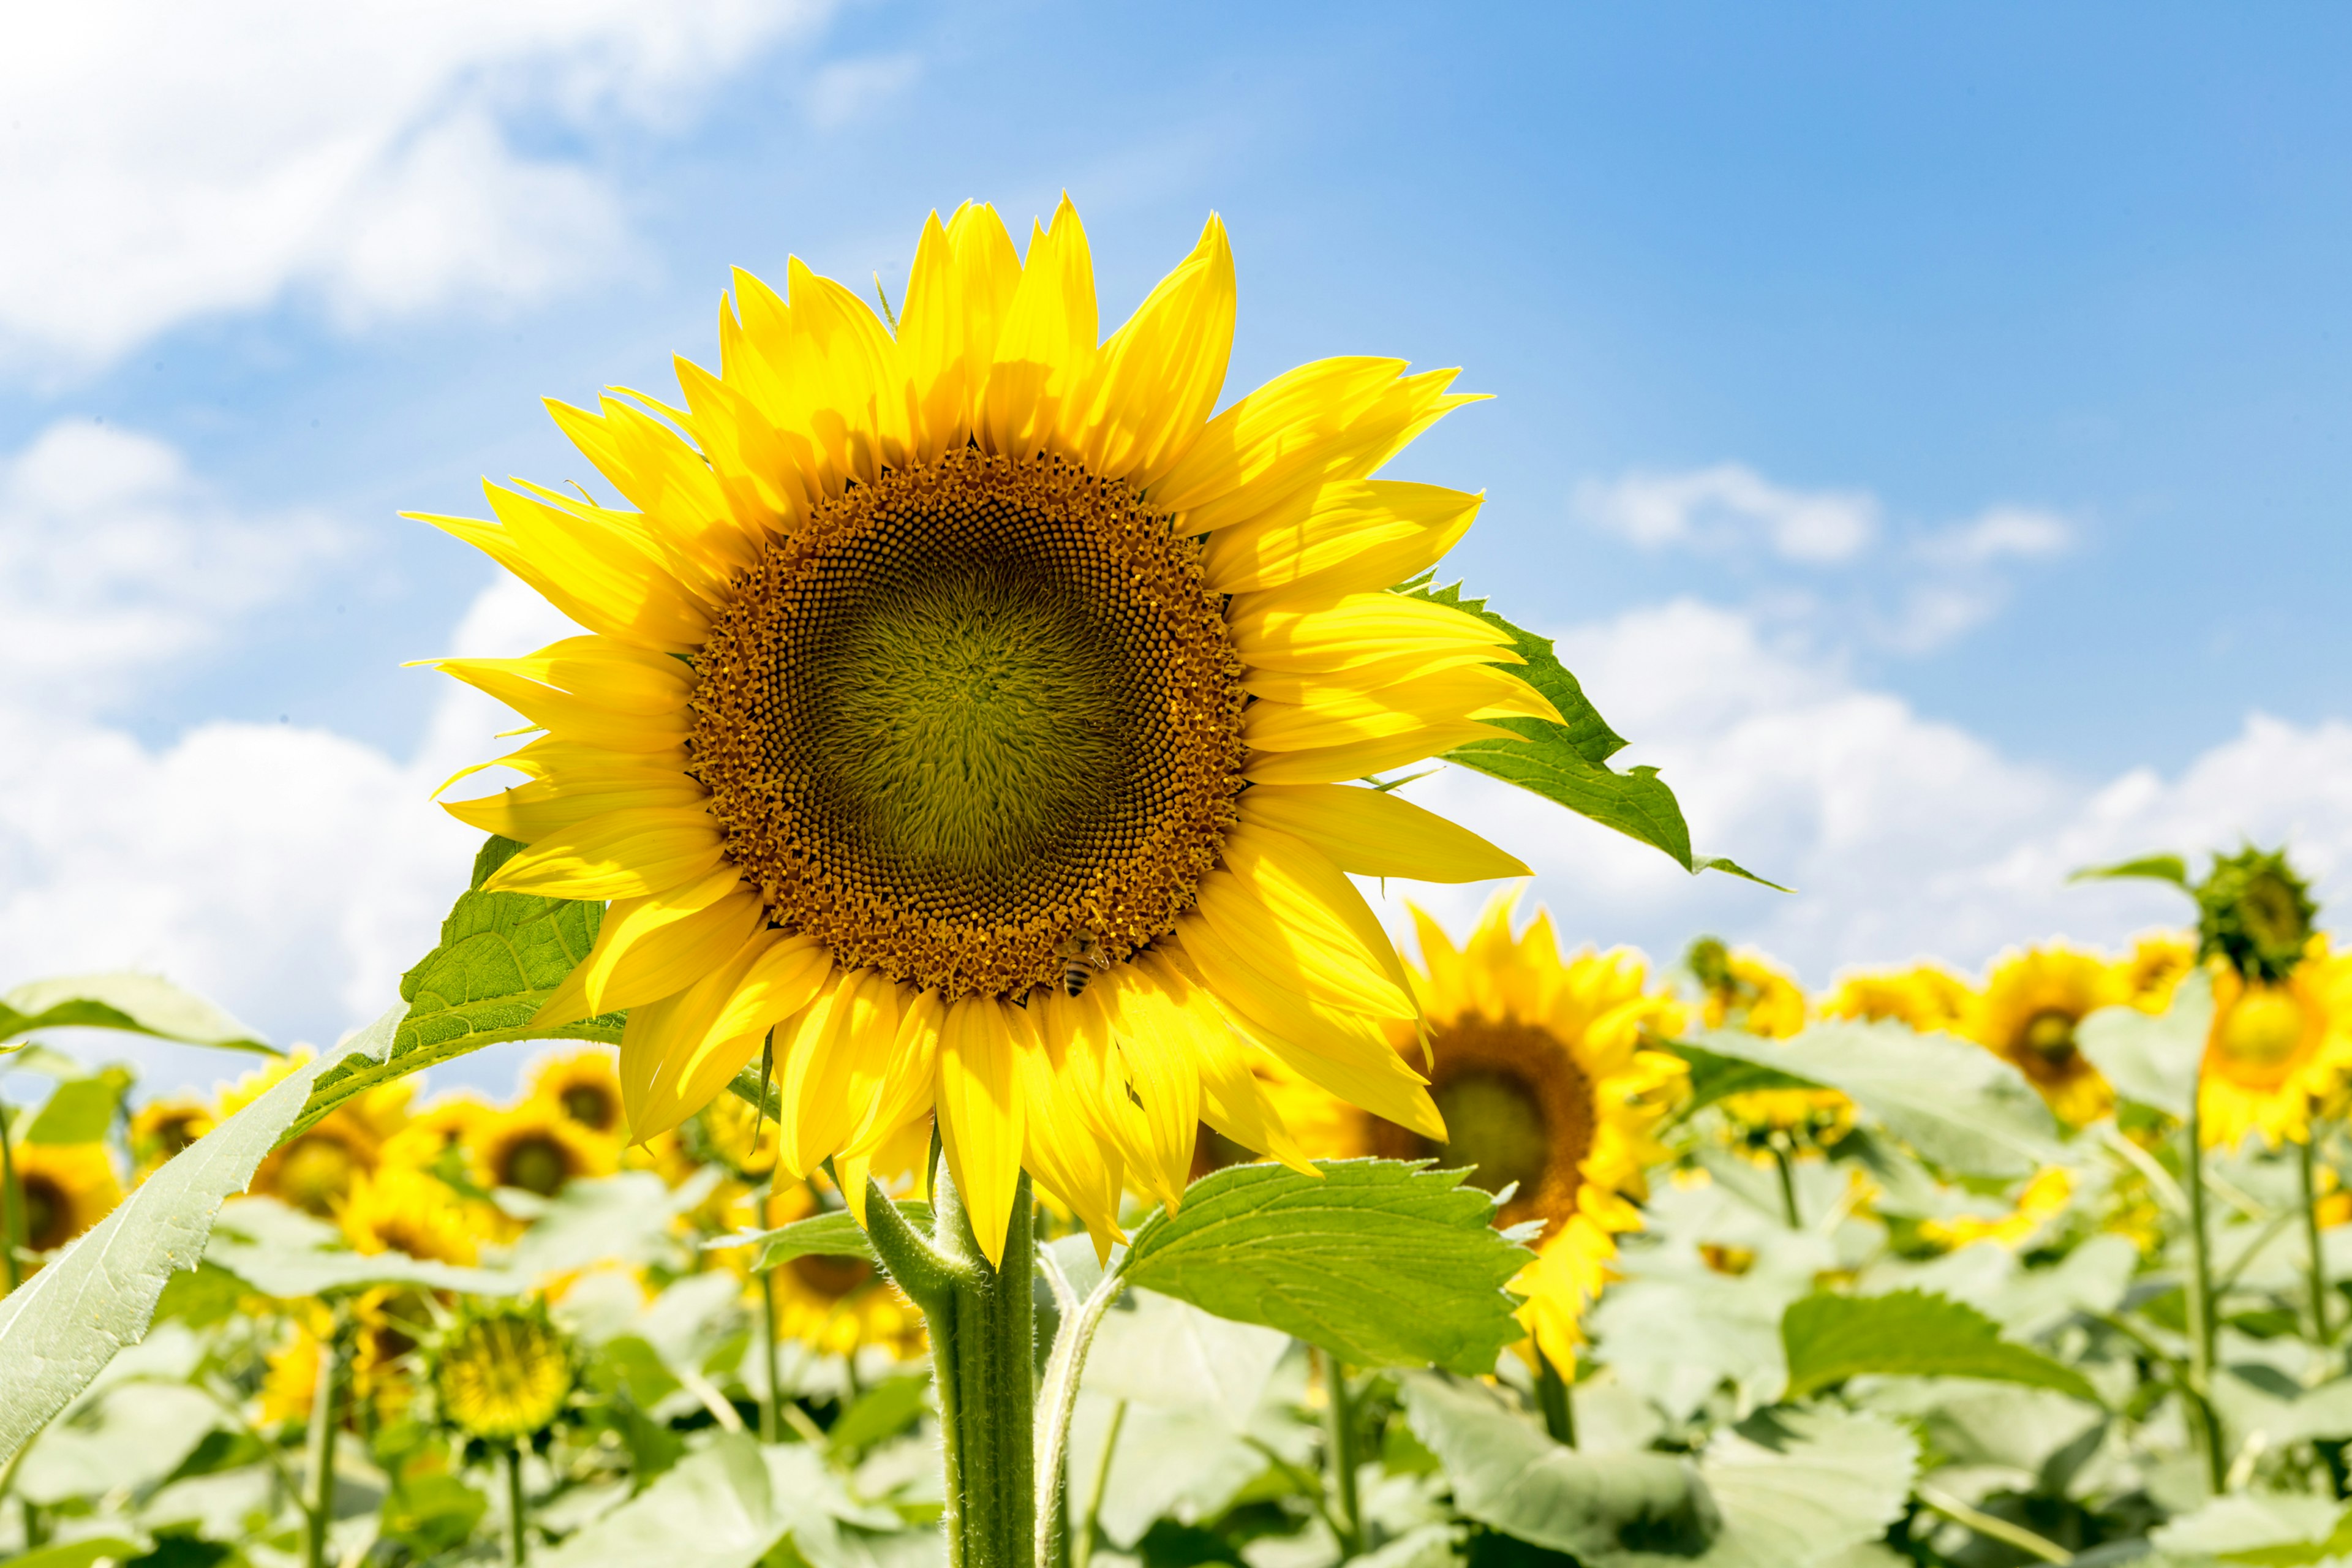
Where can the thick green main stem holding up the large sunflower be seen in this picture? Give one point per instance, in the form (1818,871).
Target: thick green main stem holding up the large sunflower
(982,1360)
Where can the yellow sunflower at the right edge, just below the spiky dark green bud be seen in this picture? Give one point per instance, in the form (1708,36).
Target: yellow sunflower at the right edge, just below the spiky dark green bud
(2276,1047)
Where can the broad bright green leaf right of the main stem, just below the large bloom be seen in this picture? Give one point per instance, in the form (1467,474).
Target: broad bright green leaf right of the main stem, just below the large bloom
(1382,1264)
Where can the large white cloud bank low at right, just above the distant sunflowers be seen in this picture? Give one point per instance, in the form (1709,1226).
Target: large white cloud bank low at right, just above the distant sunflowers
(1904,836)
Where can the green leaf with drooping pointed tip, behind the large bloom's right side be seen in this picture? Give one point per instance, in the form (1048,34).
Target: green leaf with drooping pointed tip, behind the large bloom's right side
(1570,763)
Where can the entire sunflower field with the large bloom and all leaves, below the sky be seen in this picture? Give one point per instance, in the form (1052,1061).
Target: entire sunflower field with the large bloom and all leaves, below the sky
(982,1118)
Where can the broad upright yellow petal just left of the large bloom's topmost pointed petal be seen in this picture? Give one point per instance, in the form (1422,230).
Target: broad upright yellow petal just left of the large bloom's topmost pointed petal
(956,302)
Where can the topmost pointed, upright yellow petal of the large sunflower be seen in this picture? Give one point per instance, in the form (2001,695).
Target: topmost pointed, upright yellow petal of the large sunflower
(1048,347)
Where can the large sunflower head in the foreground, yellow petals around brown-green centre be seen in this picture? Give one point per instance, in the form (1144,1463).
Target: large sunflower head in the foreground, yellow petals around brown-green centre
(970,709)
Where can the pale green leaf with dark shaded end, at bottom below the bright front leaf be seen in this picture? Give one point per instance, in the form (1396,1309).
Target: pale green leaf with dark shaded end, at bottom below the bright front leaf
(1516,1480)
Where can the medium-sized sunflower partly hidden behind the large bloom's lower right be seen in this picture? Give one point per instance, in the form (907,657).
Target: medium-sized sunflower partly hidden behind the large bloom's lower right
(1544,1083)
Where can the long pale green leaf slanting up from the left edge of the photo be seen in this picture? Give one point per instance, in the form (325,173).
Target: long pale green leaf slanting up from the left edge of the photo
(62,1327)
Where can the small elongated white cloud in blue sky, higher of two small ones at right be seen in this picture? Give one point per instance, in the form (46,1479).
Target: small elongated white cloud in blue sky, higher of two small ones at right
(1725,504)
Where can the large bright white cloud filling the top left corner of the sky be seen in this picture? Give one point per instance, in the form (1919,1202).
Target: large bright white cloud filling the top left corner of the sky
(173,161)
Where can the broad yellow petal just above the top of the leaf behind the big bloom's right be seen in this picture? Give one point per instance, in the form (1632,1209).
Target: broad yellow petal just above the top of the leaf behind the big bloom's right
(1344,537)
